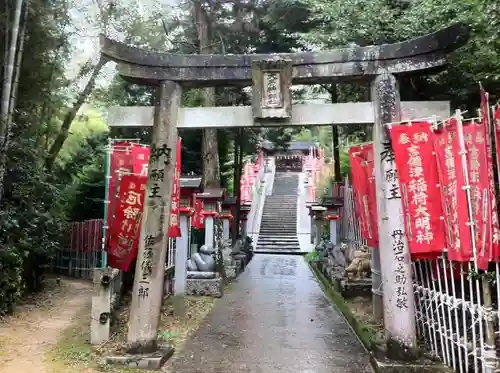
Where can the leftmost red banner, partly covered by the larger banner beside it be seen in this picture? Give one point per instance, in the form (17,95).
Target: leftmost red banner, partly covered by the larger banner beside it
(120,162)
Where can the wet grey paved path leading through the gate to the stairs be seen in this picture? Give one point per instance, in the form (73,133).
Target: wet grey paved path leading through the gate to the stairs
(273,319)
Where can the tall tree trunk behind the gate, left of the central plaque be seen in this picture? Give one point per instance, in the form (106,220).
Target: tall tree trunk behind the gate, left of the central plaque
(210,148)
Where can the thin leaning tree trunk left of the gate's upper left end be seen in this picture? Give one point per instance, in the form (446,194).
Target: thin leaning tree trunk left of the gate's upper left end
(71,114)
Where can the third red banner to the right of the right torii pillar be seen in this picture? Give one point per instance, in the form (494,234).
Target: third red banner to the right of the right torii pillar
(477,163)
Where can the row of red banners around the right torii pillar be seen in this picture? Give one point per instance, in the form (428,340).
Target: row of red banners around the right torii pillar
(447,188)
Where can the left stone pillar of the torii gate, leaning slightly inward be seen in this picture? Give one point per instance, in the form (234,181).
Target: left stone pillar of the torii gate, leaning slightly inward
(148,284)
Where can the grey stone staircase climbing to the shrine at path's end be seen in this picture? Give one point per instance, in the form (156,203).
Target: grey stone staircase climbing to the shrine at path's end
(278,227)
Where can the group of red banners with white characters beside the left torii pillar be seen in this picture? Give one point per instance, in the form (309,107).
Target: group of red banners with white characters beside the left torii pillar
(126,198)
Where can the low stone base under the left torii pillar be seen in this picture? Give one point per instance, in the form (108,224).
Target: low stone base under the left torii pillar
(154,360)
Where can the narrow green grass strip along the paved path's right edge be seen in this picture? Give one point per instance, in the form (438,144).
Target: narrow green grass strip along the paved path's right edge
(368,334)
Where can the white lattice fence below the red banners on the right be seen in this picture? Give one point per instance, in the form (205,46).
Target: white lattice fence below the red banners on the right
(457,310)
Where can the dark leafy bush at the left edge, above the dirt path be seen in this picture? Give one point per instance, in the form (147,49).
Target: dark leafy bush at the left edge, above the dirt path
(32,222)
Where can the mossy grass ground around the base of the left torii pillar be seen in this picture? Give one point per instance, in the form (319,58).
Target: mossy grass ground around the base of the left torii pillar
(73,353)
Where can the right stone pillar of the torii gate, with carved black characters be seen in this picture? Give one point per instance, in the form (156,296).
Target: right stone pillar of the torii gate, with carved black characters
(399,304)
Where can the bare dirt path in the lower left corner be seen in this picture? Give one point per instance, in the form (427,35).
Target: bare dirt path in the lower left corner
(37,326)
